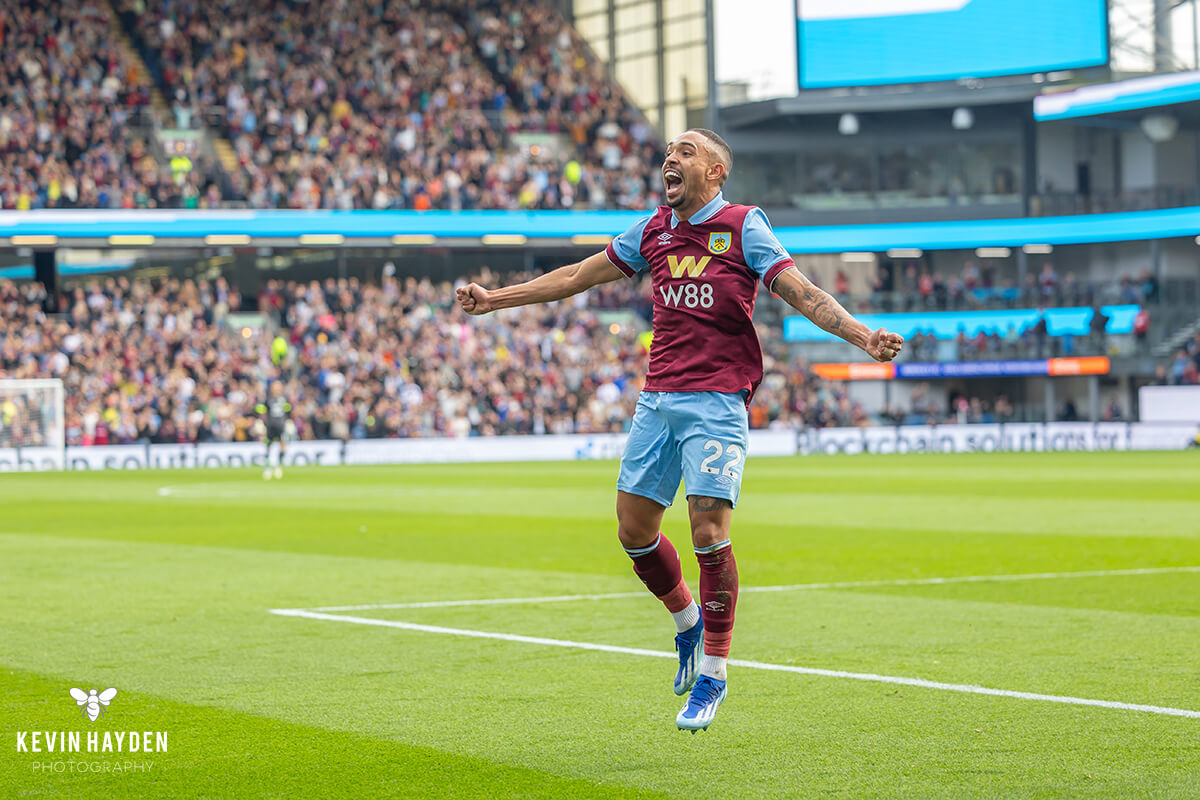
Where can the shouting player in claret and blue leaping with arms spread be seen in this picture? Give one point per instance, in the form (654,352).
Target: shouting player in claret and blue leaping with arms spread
(705,257)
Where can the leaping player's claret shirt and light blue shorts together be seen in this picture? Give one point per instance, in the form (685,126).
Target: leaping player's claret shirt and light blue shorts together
(705,360)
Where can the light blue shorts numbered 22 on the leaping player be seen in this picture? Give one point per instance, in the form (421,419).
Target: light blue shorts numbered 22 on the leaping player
(697,437)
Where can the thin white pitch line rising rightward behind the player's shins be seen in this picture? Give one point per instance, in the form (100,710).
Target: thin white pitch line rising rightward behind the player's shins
(795,587)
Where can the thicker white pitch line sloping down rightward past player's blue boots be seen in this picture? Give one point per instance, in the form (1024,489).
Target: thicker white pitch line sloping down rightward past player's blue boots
(969,689)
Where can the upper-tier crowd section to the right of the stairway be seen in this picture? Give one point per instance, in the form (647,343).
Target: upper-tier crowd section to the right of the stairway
(377,106)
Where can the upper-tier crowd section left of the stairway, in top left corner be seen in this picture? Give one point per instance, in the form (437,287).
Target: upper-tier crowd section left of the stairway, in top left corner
(71,104)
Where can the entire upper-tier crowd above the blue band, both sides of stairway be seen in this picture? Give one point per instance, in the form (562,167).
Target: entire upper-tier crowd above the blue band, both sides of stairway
(398,105)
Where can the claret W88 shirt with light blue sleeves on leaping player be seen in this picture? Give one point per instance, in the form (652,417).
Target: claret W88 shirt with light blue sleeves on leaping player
(705,273)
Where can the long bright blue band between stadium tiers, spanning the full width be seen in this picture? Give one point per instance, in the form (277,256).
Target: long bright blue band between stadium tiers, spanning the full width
(47,230)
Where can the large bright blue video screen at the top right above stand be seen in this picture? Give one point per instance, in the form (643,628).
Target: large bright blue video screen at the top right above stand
(873,43)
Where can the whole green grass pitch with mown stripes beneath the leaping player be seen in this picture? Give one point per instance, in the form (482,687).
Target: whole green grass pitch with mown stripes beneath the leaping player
(160,584)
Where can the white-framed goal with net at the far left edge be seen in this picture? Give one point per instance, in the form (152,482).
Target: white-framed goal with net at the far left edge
(33,430)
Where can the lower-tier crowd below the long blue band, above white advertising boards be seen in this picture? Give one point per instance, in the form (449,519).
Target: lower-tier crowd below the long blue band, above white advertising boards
(160,362)
